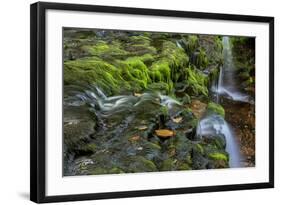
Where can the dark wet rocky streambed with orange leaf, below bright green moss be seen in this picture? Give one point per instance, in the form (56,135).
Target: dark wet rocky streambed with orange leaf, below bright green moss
(134,133)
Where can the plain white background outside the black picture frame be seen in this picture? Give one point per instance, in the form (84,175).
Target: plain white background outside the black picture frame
(14,102)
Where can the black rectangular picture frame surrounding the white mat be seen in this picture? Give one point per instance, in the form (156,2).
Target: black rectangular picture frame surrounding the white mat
(38,101)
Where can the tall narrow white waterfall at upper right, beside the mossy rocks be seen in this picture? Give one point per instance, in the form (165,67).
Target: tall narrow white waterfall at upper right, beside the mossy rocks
(227,84)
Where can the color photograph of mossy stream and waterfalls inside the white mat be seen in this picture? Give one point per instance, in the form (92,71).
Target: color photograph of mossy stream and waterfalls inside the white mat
(147,101)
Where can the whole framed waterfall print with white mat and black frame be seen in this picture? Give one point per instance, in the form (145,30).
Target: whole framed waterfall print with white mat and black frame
(129,102)
